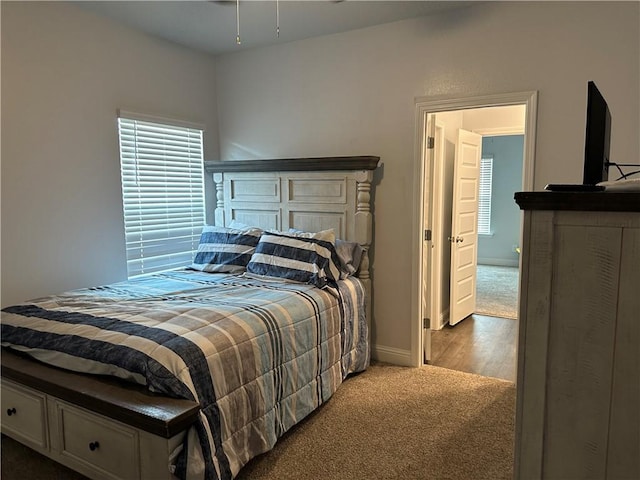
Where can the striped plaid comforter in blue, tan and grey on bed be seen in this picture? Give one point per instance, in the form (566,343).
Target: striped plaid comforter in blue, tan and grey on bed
(258,356)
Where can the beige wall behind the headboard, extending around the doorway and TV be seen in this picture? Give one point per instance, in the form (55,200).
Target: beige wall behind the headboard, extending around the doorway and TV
(353,93)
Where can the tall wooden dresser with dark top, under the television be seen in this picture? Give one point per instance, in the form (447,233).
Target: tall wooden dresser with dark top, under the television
(578,383)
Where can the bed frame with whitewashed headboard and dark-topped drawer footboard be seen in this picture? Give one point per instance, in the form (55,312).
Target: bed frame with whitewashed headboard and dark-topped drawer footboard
(108,429)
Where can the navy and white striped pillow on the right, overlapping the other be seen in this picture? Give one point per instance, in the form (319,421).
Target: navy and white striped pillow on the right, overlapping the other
(301,257)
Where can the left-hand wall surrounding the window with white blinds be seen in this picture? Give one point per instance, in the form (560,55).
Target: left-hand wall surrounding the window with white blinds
(65,72)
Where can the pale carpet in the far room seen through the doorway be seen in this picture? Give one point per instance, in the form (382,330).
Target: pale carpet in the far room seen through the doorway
(497,291)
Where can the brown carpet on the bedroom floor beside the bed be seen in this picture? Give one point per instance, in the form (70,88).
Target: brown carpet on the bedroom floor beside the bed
(388,422)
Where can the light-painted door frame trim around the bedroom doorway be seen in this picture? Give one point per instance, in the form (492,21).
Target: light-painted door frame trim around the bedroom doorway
(423,193)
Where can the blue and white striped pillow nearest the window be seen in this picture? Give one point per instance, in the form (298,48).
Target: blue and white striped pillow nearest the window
(225,250)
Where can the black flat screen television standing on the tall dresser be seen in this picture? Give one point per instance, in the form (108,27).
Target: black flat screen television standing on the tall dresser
(597,137)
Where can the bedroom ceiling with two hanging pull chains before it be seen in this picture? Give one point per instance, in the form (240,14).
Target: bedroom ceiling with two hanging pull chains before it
(211,26)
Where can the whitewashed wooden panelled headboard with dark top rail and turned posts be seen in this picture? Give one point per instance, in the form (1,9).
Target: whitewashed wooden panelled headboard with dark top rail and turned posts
(309,194)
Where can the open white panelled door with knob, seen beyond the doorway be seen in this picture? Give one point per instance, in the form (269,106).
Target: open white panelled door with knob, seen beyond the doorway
(464,226)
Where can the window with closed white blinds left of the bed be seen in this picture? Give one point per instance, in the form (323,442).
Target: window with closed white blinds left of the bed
(162,192)
